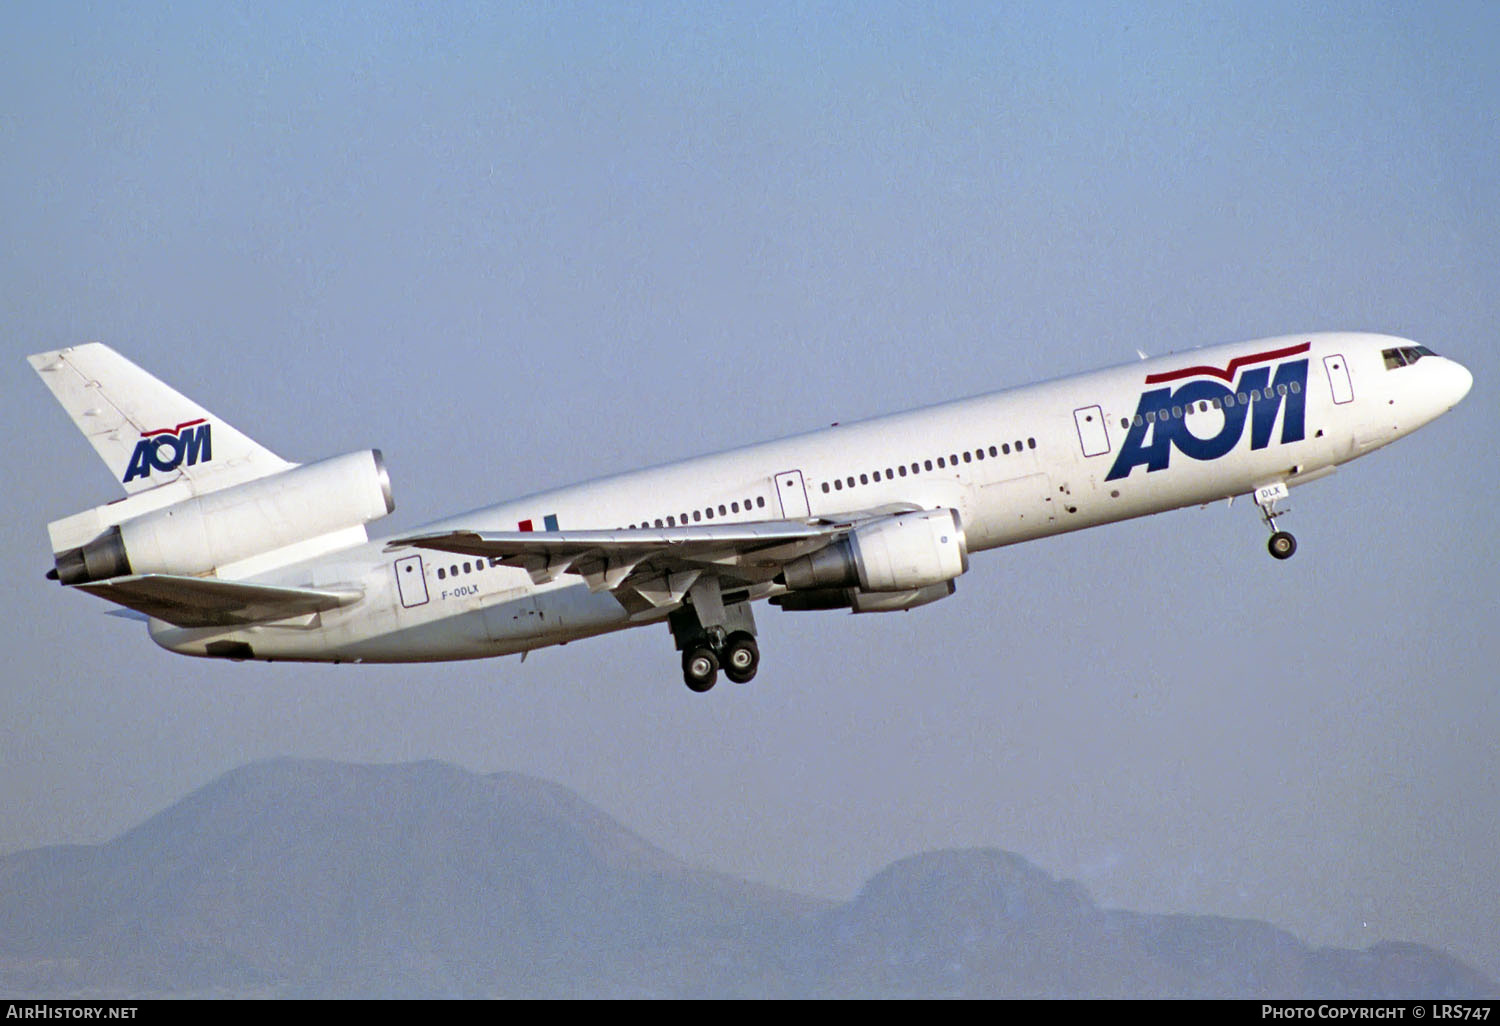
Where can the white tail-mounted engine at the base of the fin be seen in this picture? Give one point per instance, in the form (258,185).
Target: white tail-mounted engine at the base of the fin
(205,533)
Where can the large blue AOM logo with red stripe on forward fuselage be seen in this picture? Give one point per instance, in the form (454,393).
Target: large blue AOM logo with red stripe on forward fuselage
(1166,418)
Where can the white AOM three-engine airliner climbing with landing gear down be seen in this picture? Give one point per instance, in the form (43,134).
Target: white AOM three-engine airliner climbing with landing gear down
(229,551)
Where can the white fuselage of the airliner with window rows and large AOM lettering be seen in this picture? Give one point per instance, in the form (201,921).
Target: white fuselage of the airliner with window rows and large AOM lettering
(1016,466)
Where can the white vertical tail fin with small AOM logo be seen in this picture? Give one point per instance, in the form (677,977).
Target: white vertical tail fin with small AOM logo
(146,433)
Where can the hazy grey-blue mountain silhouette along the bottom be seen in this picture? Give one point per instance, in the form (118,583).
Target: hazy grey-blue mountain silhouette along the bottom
(322,880)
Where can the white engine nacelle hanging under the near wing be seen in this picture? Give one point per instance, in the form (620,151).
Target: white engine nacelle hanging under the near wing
(896,554)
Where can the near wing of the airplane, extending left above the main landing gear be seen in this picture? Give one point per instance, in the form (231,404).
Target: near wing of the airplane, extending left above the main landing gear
(647,569)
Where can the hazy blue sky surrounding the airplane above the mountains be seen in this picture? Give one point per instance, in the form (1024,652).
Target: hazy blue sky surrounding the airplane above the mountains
(518,248)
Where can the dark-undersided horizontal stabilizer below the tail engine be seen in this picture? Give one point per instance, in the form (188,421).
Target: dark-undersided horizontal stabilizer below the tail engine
(203,602)
